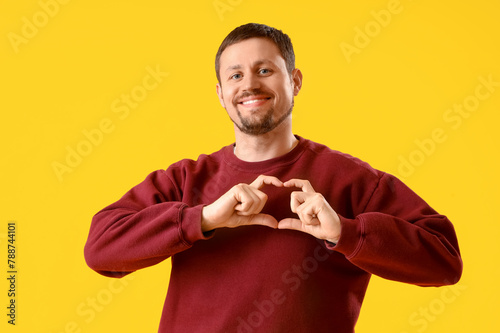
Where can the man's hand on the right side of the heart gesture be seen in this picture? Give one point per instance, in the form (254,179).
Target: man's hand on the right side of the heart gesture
(316,216)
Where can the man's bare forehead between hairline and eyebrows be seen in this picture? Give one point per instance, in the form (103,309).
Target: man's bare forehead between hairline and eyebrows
(251,51)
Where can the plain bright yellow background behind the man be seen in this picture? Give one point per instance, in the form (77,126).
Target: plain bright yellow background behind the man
(374,104)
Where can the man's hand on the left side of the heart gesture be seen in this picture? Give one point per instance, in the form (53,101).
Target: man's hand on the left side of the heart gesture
(239,206)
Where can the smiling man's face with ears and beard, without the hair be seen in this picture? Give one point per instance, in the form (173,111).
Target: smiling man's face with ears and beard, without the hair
(255,87)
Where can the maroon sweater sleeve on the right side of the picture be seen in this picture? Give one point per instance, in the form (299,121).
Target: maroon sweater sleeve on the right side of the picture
(399,237)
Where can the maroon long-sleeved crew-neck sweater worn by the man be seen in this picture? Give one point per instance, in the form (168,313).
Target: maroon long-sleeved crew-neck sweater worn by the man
(259,279)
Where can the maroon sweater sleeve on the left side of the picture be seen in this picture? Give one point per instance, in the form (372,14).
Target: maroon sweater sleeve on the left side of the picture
(147,225)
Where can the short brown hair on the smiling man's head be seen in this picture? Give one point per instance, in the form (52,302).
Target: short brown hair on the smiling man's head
(255,30)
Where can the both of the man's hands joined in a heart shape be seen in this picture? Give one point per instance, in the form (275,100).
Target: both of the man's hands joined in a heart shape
(243,203)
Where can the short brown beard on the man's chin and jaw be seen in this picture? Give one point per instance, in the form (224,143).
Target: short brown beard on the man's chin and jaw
(264,125)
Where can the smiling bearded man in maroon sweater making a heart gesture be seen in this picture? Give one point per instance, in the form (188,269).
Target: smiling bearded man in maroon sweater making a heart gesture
(274,233)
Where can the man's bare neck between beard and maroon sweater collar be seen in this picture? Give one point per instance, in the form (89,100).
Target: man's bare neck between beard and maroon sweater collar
(256,148)
